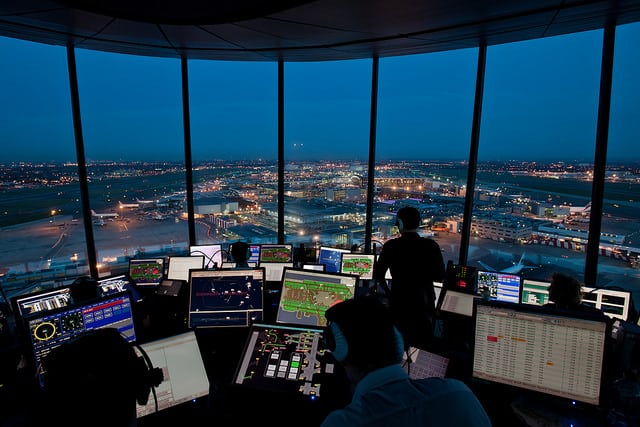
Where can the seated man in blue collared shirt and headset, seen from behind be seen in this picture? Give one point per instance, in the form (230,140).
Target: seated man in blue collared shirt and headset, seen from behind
(362,337)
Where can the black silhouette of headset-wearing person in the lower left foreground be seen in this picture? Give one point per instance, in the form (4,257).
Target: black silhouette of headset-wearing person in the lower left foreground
(96,379)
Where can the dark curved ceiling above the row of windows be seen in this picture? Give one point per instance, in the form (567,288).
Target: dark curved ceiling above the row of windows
(299,30)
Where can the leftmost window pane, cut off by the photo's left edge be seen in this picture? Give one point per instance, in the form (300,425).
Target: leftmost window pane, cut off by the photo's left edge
(42,240)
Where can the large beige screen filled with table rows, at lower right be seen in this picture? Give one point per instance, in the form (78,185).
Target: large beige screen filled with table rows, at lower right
(540,350)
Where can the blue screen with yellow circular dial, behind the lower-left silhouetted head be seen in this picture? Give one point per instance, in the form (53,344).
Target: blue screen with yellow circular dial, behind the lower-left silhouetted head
(49,329)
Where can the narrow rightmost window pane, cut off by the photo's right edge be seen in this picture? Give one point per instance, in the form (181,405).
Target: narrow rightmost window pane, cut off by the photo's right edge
(619,263)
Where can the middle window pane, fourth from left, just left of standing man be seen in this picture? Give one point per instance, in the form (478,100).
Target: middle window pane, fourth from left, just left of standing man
(327,109)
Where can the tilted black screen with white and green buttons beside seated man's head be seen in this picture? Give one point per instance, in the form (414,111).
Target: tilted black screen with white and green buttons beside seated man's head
(284,359)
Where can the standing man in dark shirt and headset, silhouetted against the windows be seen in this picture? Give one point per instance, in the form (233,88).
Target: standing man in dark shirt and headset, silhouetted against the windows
(415,263)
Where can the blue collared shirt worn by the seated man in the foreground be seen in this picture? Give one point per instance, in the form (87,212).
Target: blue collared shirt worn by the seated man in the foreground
(387,397)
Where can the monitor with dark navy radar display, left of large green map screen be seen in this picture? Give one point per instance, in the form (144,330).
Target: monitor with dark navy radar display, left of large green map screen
(225,298)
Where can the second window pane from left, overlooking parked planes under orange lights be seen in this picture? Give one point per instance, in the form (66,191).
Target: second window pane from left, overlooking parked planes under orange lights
(132,126)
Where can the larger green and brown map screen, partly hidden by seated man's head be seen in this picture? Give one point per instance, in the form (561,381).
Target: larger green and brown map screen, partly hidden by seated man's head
(307,294)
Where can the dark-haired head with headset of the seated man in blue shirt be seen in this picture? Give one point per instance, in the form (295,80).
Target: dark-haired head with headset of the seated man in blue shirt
(361,334)
